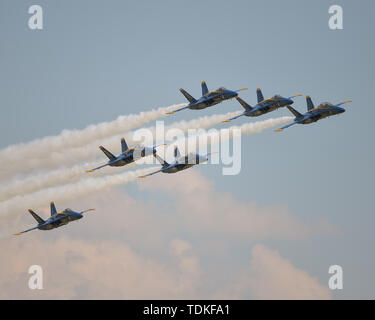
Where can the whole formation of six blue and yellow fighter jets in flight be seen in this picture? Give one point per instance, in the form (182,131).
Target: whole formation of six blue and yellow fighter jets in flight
(208,99)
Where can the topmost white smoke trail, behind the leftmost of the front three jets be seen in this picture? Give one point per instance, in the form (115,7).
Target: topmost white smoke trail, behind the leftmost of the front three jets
(27,156)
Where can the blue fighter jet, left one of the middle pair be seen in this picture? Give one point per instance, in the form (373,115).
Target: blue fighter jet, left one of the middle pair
(128,155)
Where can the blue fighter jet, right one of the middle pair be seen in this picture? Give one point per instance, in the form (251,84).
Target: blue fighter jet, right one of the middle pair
(180,163)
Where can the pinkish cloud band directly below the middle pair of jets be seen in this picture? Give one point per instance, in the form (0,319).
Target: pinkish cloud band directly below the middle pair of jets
(203,209)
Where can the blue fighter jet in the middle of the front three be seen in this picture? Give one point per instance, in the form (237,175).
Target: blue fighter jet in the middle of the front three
(264,105)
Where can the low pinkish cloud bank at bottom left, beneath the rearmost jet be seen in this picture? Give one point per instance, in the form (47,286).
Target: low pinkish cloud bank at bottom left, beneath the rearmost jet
(105,270)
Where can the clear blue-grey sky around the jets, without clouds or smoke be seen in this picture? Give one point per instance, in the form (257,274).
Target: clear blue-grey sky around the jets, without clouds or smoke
(95,60)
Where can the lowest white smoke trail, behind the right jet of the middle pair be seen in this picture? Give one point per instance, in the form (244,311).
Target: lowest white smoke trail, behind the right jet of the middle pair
(66,192)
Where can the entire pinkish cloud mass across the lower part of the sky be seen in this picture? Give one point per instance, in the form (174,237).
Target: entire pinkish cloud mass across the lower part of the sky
(146,248)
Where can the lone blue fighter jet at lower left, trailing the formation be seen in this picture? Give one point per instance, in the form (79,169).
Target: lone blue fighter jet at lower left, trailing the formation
(56,220)
